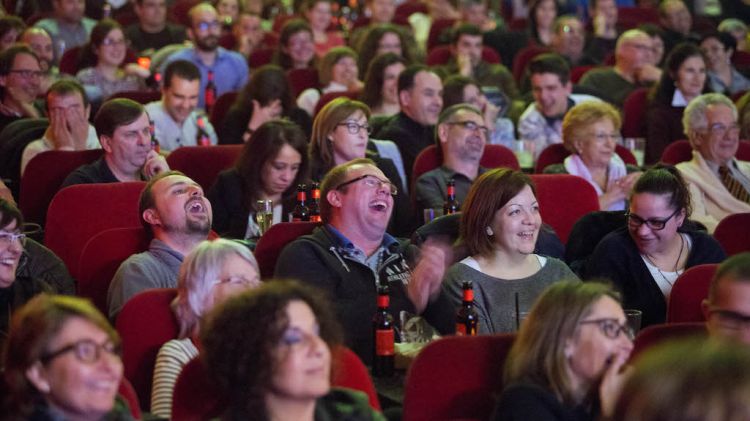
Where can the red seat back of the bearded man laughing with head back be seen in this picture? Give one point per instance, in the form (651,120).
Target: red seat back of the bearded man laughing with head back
(100,258)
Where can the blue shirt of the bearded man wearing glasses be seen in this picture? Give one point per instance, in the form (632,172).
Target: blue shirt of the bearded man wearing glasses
(230,70)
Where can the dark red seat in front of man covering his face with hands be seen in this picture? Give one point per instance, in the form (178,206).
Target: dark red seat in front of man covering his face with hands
(43,176)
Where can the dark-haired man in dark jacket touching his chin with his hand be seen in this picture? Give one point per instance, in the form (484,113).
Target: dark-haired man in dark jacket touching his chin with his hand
(125,135)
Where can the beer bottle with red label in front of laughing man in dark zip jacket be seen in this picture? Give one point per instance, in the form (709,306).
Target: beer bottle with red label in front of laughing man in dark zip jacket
(384,336)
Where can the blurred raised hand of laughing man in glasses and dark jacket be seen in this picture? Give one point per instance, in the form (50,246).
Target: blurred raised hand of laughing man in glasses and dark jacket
(427,276)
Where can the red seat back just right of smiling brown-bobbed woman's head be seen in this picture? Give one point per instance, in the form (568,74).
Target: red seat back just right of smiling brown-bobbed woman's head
(563,199)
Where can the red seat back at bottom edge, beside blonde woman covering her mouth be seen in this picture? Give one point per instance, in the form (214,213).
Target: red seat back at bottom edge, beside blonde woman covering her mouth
(456,378)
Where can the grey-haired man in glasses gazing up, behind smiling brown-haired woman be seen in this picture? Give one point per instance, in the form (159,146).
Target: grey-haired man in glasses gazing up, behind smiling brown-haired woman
(461,136)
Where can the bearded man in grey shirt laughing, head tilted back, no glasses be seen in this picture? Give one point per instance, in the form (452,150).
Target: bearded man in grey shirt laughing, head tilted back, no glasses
(174,209)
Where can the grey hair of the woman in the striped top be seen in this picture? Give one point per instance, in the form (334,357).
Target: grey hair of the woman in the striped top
(198,271)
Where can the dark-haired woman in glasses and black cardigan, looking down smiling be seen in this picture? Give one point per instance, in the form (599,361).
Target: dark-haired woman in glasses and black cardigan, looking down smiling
(644,258)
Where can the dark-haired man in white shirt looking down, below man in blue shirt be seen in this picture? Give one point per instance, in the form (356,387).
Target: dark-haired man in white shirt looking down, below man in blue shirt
(176,121)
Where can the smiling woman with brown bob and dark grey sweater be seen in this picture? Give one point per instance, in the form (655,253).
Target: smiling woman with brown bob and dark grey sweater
(499,228)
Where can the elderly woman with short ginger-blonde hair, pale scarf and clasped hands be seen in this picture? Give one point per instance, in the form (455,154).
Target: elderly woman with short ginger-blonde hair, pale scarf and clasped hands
(591,131)
